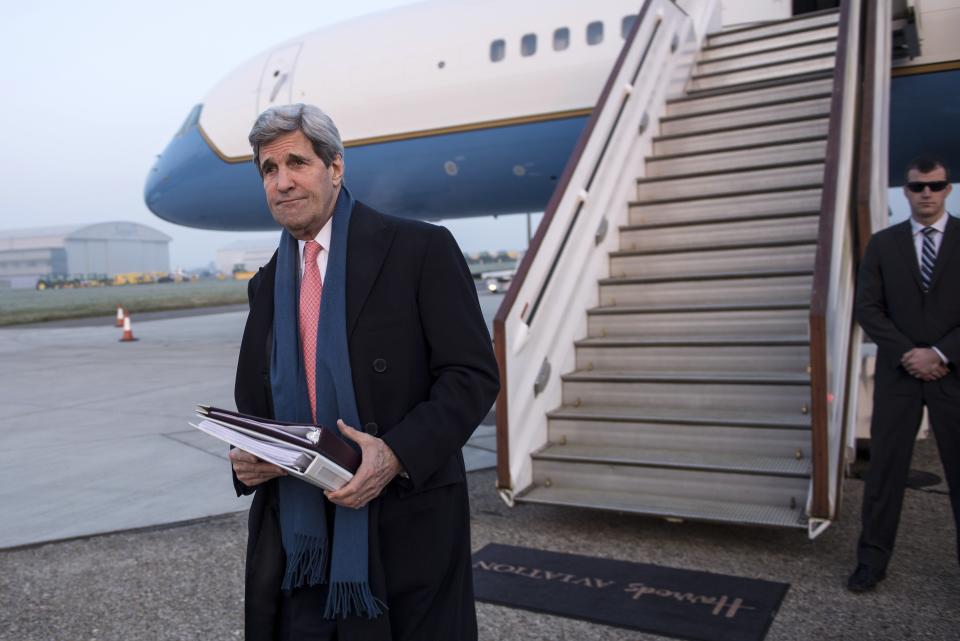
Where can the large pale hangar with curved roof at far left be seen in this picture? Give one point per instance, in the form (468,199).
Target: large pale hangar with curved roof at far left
(110,248)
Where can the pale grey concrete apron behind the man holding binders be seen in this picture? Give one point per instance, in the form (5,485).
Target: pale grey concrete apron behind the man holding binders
(95,434)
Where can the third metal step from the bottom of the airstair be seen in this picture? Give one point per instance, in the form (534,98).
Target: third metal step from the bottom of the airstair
(766,441)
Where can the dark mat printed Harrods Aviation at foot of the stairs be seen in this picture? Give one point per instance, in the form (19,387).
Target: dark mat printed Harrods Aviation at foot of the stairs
(683,604)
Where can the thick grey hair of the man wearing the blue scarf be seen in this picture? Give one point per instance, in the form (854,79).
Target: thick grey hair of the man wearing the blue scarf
(316,125)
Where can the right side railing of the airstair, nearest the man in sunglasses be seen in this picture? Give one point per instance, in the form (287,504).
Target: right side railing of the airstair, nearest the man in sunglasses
(855,146)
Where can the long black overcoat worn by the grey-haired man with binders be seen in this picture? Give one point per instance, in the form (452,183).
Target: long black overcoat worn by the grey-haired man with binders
(424,376)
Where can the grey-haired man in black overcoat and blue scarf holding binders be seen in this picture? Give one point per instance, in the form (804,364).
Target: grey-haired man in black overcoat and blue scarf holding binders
(423,375)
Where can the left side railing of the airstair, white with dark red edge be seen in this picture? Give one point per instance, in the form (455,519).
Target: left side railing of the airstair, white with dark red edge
(564,214)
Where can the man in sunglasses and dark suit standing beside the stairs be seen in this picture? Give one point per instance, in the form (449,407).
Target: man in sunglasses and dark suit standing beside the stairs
(908,302)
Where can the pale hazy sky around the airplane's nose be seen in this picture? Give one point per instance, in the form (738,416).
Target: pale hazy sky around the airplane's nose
(93,91)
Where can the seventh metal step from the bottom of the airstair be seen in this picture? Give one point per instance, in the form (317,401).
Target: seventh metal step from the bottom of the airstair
(759,288)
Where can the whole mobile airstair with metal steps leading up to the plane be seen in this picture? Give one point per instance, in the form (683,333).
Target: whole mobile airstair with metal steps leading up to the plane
(679,339)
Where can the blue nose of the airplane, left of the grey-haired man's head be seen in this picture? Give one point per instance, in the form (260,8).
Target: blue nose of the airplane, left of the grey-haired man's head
(191,185)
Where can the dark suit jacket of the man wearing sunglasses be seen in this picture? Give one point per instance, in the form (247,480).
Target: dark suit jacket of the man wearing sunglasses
(895,312)
